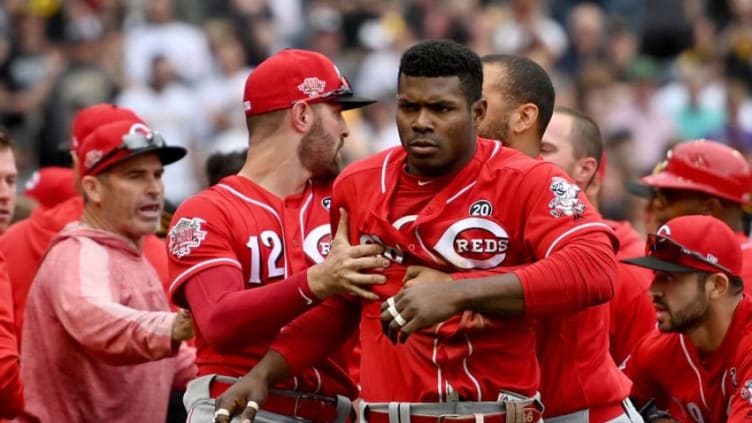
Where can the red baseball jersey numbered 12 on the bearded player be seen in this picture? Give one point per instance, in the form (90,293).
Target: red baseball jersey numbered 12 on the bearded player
(237,223)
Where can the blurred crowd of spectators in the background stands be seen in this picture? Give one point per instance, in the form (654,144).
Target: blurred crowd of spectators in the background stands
(652,74)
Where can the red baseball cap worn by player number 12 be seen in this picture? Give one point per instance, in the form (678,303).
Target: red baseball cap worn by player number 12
(293,75)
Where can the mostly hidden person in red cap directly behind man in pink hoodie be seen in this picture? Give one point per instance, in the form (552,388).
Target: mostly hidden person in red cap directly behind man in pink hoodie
(24,243)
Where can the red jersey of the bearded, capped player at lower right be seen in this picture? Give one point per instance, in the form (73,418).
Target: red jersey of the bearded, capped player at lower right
(693,387)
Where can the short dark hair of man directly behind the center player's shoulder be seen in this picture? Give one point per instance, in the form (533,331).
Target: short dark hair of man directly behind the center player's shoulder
(525,81)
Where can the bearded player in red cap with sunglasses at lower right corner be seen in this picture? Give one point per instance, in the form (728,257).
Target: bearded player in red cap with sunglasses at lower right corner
(698,367)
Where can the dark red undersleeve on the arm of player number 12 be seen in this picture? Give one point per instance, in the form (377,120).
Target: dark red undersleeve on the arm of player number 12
(229,316)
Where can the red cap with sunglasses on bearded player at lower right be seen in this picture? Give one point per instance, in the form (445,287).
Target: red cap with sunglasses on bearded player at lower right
(693,243)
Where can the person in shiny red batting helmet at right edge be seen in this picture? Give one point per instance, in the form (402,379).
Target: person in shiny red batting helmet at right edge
(704,177)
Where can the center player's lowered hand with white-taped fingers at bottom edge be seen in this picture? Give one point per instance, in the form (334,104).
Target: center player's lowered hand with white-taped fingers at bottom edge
(244,397)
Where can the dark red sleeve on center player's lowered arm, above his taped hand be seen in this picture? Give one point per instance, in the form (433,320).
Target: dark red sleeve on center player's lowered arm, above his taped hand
(321,330)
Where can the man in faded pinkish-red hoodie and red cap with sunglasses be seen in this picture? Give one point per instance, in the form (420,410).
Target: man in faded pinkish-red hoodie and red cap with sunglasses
(98,324)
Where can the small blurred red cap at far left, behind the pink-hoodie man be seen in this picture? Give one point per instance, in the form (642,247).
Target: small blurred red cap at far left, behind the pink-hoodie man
(51,185)
